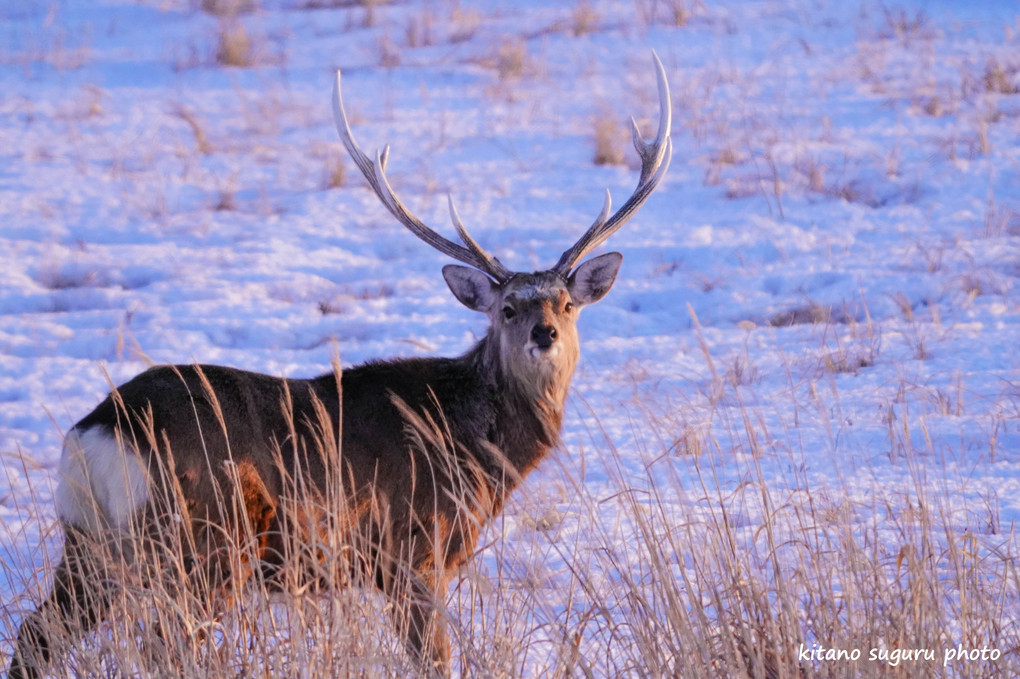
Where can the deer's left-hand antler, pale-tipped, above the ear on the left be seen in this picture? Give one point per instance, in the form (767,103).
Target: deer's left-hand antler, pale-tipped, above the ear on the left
(376,175)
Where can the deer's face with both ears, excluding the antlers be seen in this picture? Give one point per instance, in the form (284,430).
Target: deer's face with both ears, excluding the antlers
(534,317)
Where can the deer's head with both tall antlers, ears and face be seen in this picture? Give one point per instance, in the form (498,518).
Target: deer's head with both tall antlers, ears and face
(533,317)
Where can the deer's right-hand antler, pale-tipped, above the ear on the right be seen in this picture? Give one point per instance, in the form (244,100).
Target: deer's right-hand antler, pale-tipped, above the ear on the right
(655,158)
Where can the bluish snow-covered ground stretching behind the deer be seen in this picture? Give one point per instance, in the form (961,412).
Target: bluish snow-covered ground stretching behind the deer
(835,252)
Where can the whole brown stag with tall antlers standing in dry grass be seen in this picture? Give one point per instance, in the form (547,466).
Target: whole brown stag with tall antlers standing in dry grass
(426,450)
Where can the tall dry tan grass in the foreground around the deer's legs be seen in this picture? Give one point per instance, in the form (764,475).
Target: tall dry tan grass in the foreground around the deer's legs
(689,578)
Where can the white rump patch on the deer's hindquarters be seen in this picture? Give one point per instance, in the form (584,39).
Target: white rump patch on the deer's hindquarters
(103,484)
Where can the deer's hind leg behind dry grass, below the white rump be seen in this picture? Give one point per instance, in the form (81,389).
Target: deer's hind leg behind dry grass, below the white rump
(76,605)
